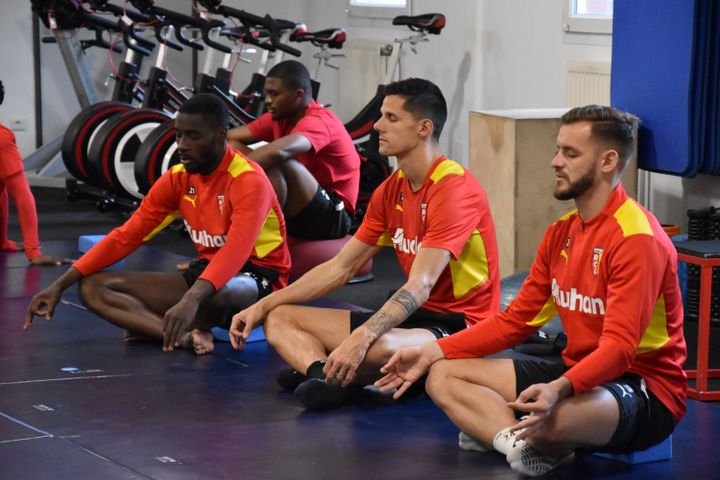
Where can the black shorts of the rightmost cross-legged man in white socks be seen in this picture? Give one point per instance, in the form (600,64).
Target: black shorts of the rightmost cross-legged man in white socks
(644,420)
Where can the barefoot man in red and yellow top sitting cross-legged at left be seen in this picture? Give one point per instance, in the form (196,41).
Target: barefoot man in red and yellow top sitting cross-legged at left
(234,220)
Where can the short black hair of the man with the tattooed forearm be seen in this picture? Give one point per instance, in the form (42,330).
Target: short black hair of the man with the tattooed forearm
(423,99)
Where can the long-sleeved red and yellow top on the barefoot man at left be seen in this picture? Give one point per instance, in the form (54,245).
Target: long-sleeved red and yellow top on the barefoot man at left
(232,215)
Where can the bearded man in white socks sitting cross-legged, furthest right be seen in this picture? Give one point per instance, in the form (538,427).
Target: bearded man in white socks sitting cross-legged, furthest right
(610,271)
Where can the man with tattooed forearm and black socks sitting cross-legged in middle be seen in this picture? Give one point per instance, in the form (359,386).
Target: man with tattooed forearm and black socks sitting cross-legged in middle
(435,215)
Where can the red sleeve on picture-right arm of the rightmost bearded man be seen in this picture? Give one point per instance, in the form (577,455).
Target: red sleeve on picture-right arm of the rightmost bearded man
(634,281)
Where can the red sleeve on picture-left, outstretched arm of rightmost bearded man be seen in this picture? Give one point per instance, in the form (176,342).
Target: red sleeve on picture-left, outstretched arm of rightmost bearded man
(532,308)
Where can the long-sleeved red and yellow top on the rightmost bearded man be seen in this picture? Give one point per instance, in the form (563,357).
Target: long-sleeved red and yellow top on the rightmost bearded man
(613,281)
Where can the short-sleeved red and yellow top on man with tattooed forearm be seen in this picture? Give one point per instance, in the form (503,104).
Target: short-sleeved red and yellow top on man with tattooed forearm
(449,211)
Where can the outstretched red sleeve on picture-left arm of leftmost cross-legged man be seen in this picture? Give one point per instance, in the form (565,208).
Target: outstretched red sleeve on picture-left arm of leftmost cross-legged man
(158,209)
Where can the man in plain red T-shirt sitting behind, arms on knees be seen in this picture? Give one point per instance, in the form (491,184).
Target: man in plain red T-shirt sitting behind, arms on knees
(310,158)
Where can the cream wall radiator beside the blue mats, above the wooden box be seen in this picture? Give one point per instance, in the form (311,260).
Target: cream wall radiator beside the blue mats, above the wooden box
(586,83)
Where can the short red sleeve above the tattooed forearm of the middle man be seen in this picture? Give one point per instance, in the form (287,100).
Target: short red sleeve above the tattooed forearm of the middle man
(452,215)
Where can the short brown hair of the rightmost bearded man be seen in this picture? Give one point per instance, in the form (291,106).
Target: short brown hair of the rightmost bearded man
(610,126)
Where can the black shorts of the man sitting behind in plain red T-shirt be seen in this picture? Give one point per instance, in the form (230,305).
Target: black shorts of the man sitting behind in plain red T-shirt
(324,218)
